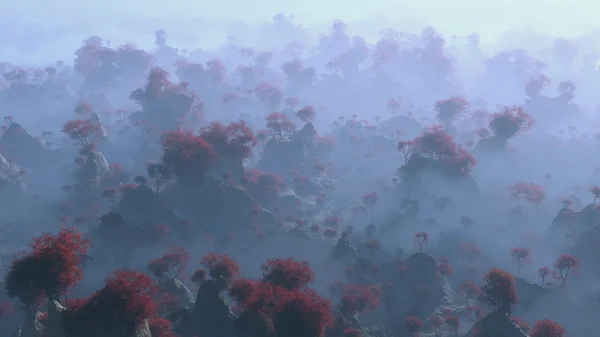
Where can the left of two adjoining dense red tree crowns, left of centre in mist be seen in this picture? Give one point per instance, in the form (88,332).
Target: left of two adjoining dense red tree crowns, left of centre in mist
(189,156)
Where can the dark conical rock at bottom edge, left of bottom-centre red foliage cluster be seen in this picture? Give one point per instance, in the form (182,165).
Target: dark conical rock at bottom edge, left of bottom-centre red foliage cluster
(211,315)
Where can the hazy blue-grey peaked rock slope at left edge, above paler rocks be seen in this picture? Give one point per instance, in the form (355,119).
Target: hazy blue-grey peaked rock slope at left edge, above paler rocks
(21,147)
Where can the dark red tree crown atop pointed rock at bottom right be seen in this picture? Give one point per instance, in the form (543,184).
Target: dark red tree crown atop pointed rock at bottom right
(499,290)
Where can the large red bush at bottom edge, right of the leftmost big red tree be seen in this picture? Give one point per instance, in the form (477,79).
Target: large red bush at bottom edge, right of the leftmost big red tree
(117,309)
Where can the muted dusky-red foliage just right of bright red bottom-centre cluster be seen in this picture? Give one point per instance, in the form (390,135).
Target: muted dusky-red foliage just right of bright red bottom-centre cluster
(357,298)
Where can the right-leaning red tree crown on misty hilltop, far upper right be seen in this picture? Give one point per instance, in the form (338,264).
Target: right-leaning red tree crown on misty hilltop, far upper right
(510,122)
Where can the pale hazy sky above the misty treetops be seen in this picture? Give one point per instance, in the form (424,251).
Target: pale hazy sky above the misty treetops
(74,18)
